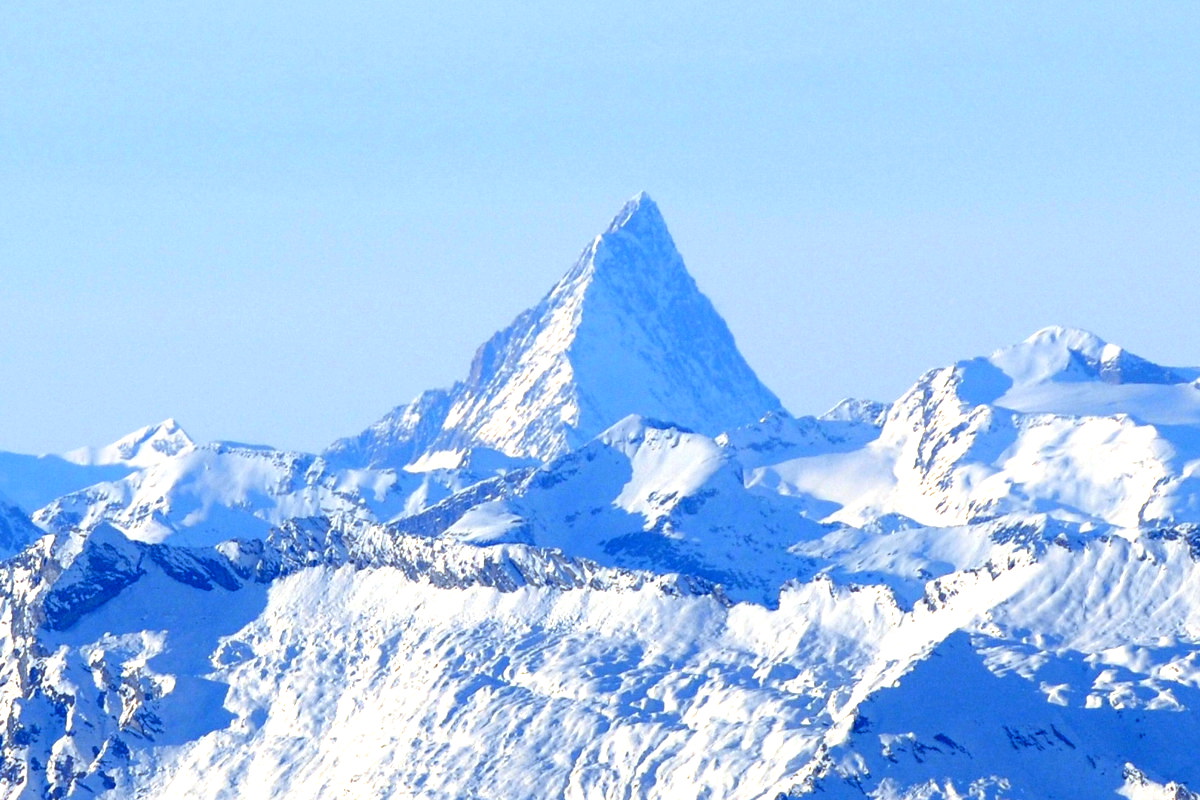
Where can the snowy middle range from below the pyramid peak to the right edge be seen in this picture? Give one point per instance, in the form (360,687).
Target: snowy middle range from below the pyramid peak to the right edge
(740,508)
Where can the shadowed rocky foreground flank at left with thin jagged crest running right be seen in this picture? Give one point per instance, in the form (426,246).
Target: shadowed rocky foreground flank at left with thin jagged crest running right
(141,624)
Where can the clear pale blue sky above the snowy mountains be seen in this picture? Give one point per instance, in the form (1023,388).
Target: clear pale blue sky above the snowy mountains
(277,221)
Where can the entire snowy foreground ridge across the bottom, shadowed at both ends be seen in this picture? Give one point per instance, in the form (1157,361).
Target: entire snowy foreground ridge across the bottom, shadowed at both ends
(329,661)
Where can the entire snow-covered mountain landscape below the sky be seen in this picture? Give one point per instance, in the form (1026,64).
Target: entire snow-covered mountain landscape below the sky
(610,564)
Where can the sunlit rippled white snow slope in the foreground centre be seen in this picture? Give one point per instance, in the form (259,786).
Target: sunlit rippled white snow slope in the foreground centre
(535,694)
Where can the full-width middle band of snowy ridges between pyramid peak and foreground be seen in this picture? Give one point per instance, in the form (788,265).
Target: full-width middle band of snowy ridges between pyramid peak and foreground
(952,450)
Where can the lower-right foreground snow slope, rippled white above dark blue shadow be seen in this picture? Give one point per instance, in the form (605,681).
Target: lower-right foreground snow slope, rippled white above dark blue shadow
(1083,684)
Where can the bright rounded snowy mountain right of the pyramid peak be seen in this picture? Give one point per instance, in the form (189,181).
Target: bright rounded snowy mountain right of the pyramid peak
(1060,425)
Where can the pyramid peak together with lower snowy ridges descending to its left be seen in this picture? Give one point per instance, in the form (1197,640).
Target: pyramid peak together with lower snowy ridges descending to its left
(626,332)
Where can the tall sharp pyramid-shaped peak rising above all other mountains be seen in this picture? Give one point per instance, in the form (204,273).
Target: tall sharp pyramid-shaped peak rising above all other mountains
(626,332)
